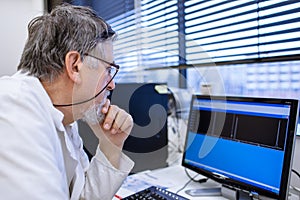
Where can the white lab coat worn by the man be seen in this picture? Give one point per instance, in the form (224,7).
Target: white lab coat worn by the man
(42,159)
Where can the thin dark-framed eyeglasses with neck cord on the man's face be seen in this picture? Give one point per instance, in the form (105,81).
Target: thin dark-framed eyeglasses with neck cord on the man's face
(112,72)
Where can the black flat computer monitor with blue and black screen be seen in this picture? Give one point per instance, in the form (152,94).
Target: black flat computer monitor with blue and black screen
(243,143)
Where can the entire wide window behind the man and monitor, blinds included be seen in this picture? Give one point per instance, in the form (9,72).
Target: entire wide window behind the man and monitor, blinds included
(249,47)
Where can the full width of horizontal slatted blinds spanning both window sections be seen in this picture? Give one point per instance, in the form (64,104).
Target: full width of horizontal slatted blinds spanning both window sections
(219,31)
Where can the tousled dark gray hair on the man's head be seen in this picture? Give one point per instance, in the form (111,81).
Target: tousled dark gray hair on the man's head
(52,36)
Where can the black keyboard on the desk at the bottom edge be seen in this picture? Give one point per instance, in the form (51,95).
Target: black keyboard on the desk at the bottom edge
(155,193)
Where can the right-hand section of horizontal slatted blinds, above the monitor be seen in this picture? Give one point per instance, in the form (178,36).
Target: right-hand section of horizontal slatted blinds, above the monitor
(241,31)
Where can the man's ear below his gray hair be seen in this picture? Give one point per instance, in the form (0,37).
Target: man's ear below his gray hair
(73,64)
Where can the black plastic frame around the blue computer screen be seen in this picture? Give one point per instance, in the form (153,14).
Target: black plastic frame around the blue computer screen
(288,155)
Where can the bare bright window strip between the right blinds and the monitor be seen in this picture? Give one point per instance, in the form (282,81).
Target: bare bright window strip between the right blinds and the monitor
(271,79)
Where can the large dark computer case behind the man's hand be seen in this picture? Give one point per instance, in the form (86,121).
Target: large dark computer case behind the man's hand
(147,143)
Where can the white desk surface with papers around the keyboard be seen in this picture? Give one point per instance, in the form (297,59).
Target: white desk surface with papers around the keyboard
(173,178)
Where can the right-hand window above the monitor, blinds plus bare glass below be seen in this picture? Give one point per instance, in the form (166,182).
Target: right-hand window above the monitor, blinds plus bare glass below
(241,40)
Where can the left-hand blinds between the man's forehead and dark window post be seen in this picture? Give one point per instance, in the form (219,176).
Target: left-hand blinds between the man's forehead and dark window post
(147,38)
